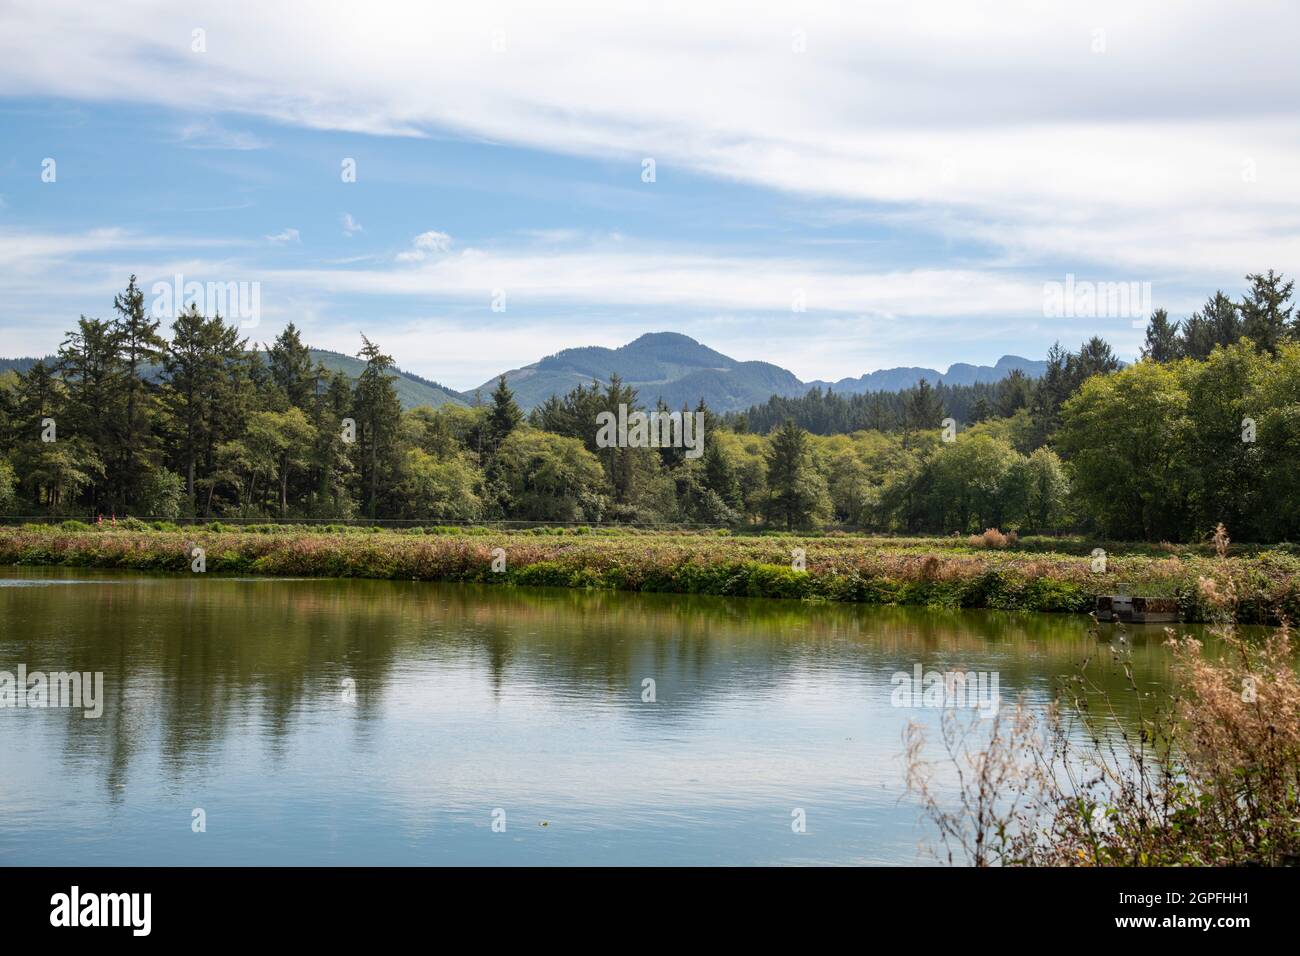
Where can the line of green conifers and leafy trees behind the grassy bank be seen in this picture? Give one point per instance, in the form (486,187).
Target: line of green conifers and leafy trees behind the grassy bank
(1202,430)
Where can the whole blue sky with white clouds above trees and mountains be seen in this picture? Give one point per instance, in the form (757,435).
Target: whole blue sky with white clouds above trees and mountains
(913,178)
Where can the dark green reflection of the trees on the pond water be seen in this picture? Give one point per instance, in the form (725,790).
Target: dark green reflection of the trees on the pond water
(203,659)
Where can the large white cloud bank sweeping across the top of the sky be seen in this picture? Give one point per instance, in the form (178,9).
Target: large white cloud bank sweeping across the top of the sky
(996,122)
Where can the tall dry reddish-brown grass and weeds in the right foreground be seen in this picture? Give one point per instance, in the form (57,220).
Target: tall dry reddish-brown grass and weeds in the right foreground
(1207,777)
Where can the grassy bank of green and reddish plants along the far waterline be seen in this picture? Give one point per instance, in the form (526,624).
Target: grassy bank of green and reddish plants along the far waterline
(1039,576)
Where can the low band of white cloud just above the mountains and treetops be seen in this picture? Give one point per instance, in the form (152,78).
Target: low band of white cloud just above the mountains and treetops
(601,295)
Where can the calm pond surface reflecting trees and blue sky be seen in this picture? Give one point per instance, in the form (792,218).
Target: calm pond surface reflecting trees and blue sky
(380,723)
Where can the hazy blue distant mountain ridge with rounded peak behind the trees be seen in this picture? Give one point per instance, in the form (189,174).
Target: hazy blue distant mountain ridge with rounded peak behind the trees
(682,371)
